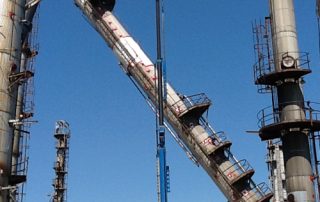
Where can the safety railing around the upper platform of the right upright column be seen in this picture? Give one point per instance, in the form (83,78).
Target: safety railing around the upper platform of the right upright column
(266,65)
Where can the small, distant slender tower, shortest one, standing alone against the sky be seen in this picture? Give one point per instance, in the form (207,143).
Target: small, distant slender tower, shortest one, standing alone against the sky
(62,135)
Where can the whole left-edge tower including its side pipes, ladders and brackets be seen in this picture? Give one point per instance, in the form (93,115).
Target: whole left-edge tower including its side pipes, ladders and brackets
(17,51)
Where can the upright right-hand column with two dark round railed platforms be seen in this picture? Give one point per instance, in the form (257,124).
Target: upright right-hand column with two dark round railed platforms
(290,119)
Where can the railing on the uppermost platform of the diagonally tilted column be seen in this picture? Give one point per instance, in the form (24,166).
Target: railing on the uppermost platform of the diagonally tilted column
(188,102)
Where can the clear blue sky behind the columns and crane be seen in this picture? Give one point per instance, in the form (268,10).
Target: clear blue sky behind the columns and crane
(209,49)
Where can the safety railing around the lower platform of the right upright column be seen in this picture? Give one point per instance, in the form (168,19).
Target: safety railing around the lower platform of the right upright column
(304,110)
